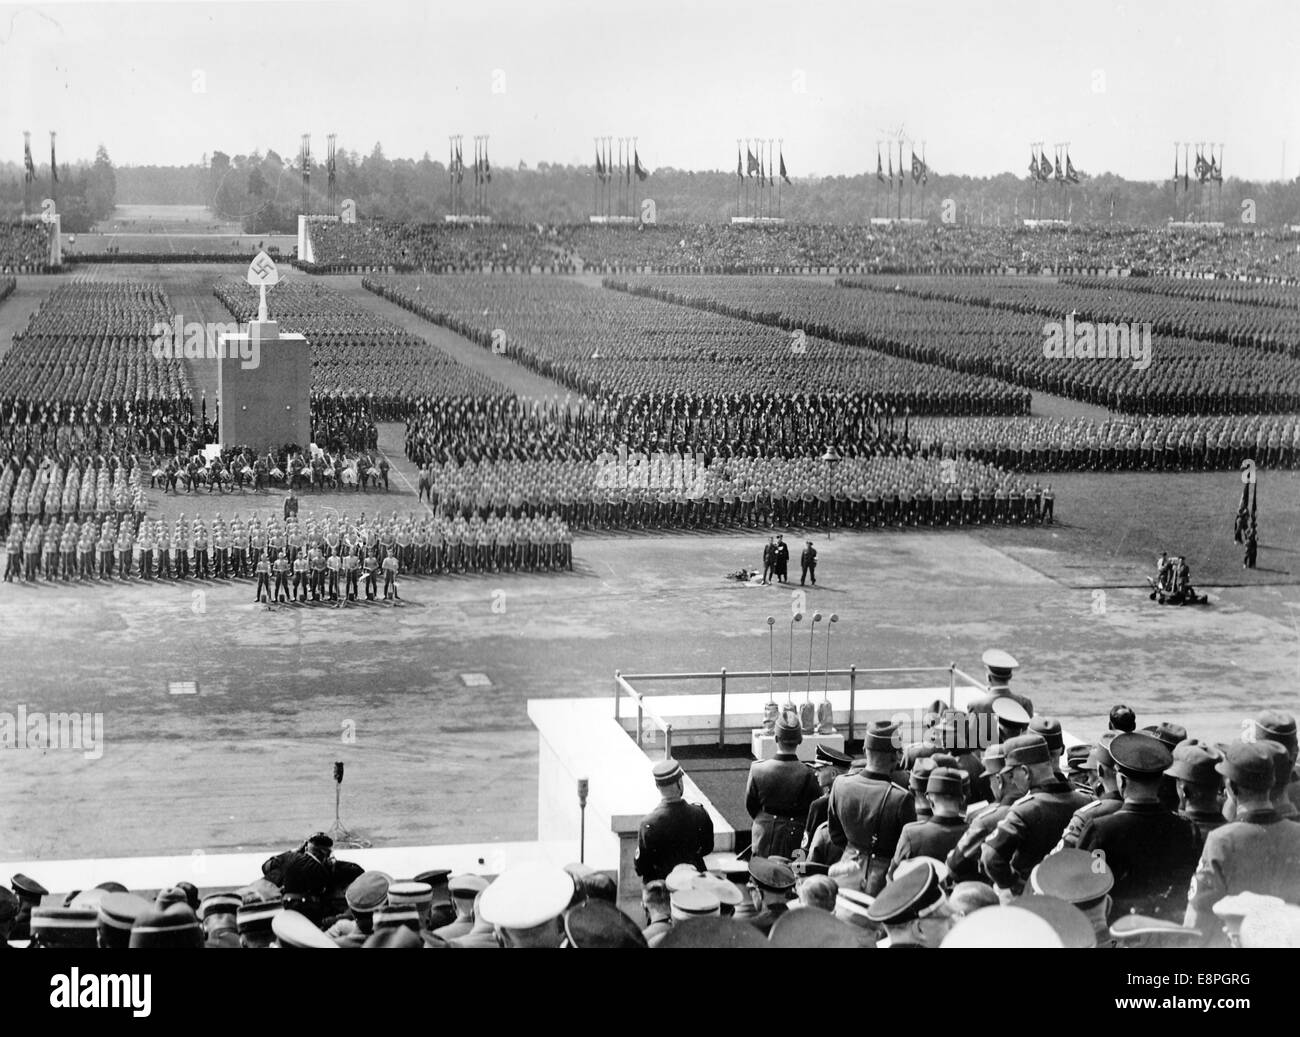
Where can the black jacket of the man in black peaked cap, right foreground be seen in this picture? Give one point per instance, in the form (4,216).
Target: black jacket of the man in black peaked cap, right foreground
(1152,854)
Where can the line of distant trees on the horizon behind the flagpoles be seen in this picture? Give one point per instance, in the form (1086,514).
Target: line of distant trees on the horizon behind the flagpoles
(265,194)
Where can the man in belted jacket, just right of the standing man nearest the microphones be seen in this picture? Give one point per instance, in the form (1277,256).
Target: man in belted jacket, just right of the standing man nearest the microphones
(869,810)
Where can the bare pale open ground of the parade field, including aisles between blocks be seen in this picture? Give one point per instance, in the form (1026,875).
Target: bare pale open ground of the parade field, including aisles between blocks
(436,757)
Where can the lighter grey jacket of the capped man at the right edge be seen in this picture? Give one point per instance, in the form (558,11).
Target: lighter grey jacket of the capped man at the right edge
(1258,853)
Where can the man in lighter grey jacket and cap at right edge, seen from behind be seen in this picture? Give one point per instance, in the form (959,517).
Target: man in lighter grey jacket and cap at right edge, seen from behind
(1259,852)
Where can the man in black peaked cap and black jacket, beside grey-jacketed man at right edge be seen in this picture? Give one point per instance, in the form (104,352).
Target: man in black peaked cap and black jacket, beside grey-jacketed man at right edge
(1151,851)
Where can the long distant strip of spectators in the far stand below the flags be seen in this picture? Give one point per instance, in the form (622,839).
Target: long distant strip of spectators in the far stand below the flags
(796,248)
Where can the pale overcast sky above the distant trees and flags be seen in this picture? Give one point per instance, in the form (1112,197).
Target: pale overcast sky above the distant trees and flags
(976,80)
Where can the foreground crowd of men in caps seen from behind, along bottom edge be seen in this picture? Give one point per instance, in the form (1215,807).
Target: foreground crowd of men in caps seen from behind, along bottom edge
(1145,839)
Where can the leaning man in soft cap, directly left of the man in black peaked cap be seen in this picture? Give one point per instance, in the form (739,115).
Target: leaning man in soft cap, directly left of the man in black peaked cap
(1035,822)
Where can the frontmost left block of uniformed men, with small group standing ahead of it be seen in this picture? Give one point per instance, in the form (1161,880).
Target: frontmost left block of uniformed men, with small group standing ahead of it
(310,558)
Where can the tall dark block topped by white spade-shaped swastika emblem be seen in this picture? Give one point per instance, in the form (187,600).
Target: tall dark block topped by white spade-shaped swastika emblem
(265,379)
